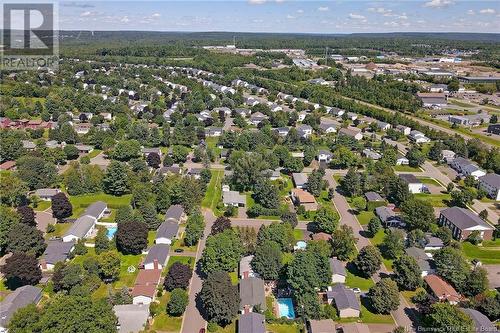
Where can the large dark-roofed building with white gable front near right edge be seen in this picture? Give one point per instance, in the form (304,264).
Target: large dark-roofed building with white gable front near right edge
(462,222)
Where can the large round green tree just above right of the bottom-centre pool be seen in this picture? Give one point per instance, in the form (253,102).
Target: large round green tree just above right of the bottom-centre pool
(309,269)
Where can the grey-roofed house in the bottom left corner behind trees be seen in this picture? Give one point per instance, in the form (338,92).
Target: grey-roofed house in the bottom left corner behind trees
(19,298)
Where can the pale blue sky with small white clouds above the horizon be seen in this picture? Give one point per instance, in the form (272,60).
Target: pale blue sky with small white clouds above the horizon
(346,16)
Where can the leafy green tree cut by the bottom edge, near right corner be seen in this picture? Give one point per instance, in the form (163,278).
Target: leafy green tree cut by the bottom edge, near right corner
(446,317)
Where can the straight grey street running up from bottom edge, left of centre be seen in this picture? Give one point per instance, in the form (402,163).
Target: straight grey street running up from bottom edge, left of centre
(194,319)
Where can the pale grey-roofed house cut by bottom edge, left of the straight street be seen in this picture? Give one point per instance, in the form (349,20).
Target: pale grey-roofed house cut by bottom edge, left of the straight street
(132,318)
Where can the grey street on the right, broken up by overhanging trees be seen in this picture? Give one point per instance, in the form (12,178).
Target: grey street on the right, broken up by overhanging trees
(346,217)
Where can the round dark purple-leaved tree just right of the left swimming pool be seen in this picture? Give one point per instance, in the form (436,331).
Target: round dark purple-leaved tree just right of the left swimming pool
(131,237)
